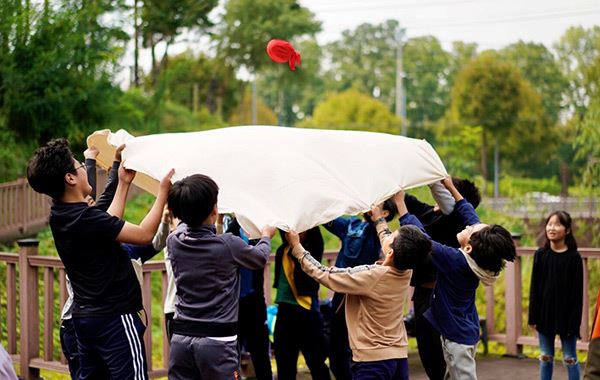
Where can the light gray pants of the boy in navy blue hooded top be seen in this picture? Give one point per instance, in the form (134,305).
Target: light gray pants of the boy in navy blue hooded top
(460,360)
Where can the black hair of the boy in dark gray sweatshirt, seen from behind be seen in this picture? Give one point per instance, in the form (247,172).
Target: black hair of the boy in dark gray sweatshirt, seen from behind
(193,198)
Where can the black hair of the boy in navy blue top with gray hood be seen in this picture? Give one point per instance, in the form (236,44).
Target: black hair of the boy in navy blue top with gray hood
(492,246)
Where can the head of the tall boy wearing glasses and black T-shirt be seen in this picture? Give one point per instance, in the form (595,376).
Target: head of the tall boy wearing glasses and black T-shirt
(54,171)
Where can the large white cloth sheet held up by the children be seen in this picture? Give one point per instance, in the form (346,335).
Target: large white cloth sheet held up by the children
(288,177)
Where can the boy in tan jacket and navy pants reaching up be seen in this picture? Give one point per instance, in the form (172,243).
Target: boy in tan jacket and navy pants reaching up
(375,297)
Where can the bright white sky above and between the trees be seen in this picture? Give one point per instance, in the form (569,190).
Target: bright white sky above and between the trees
(492,24)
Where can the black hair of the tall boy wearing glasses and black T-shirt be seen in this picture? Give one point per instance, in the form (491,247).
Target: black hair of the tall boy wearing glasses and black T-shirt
(48,166)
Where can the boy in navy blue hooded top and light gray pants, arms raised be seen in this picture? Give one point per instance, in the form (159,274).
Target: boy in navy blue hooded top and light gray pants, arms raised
(483,251)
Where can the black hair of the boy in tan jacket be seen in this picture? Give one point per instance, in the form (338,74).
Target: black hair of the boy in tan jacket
(410,247)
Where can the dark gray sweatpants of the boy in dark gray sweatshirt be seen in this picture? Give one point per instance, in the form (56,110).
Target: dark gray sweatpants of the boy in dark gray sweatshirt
(203,359)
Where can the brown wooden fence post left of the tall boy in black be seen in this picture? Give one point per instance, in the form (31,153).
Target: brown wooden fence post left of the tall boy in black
(29,307)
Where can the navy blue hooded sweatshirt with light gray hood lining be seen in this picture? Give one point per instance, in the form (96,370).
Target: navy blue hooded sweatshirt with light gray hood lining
(453,313)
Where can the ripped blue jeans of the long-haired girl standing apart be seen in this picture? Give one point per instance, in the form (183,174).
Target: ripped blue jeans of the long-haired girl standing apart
(569,344)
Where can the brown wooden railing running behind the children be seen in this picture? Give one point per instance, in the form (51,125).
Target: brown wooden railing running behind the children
(47,274)
